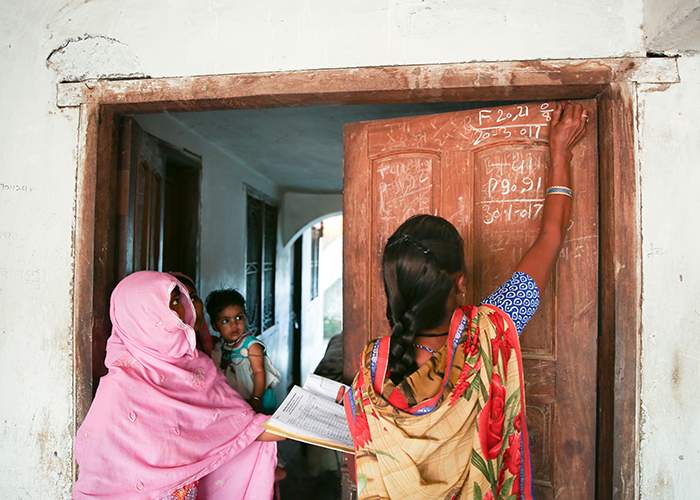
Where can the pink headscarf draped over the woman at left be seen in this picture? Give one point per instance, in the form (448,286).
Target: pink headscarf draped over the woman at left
(164,416)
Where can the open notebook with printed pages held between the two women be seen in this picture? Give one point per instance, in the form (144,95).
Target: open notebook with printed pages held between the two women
(314,414)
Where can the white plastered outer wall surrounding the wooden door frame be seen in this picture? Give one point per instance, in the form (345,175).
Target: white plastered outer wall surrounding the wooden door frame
(43,42)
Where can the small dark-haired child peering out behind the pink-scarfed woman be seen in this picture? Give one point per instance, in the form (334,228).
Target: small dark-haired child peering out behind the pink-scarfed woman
(239,354)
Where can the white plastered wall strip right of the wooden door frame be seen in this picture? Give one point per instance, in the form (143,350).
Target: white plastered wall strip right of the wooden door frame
(669,137)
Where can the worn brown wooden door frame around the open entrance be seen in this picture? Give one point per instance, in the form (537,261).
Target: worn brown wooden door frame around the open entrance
(611,81)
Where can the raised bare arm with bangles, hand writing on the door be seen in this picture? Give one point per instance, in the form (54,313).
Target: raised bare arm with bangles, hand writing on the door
(566,128)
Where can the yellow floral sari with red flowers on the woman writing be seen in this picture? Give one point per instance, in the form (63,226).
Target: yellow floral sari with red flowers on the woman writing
(453,429)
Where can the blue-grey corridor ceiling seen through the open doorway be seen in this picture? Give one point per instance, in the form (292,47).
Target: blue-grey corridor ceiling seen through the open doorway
(298,148)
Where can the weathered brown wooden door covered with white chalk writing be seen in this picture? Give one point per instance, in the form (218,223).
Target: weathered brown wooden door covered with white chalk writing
(484,171)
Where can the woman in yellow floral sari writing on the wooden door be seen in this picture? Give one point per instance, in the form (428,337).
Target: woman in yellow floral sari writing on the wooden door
(437,409)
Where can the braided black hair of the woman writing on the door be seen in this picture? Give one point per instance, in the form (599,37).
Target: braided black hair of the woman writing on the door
(419,261)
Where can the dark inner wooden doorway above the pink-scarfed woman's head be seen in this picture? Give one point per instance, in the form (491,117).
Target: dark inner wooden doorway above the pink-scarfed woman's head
(158,204)
